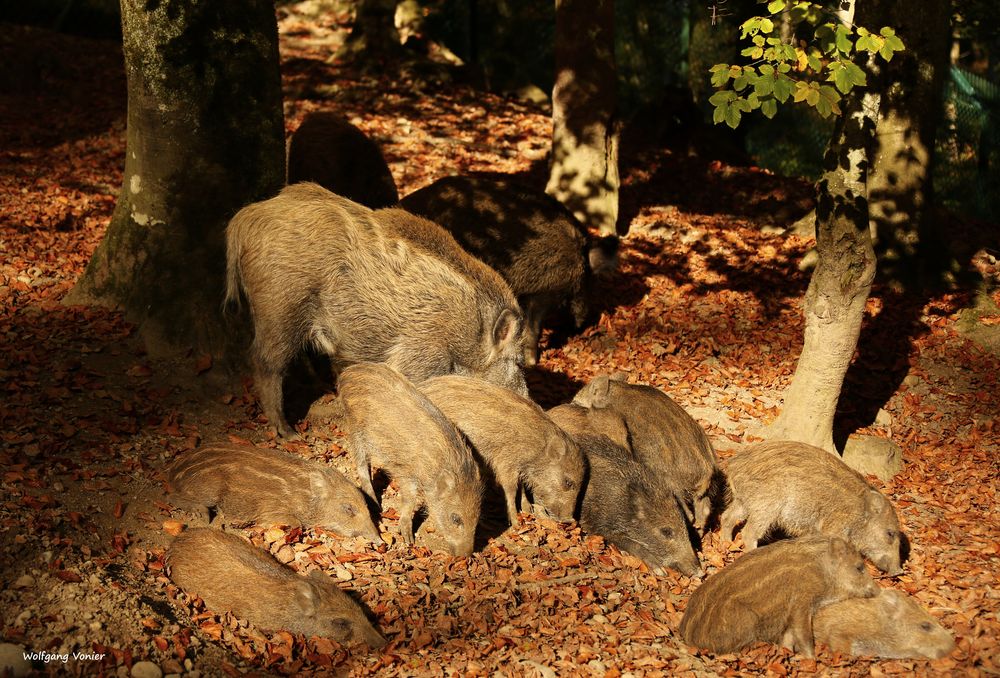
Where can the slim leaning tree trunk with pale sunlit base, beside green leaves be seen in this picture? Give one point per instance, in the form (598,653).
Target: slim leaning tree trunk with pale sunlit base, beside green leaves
(835,301)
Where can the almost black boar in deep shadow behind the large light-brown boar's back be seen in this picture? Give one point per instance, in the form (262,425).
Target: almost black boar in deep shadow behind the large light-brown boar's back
(330,151)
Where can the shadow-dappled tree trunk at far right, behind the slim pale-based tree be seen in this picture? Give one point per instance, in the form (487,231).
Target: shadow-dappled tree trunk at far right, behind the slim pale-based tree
(900,191)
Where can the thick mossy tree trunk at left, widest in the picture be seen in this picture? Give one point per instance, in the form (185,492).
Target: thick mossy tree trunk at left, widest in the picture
(205,137)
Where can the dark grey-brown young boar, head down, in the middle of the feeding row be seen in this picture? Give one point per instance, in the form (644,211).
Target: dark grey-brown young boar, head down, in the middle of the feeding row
(623,504)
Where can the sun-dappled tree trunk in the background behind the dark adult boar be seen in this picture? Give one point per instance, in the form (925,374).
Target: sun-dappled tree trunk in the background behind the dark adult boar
(584,174)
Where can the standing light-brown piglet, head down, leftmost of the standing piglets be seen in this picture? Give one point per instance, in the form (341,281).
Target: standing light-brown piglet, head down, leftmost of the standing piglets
(393,426)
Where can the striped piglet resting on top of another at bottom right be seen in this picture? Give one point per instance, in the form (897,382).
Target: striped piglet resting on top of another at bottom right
(771,594)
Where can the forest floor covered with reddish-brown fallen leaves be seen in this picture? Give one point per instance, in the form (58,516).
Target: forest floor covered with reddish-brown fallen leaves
(705,305)
